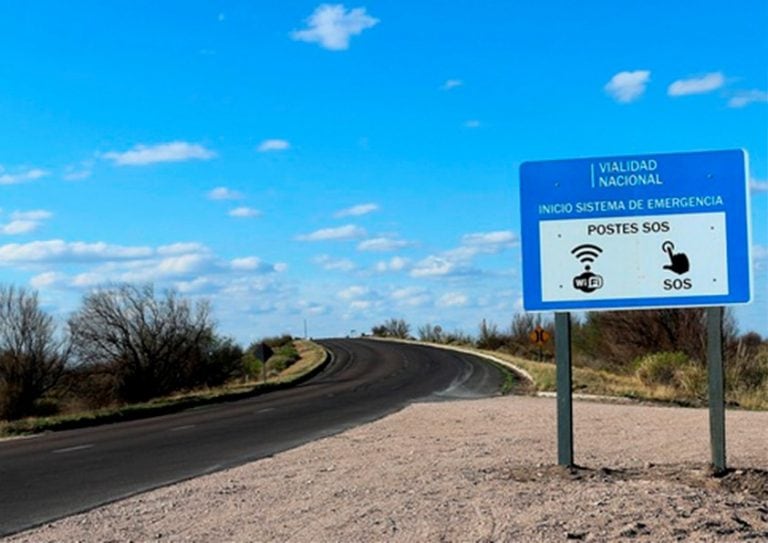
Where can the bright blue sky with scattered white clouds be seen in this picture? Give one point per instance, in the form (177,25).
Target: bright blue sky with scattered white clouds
(344,163)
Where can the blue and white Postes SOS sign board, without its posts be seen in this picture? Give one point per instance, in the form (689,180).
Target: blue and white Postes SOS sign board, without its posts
(639,231)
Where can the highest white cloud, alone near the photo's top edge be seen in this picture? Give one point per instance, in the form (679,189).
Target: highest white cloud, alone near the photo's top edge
(331,26)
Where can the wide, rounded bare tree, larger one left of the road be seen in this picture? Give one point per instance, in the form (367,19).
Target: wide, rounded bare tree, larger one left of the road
(154,345)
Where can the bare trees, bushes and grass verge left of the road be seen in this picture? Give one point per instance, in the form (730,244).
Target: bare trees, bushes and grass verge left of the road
(128,352)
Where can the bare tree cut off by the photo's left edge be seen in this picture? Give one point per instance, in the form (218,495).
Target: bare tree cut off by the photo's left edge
(32,358)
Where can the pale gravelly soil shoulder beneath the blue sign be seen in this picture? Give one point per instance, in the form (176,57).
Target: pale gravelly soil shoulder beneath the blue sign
(480,470)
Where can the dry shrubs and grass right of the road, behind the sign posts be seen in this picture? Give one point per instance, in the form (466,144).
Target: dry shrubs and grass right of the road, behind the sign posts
(657,355)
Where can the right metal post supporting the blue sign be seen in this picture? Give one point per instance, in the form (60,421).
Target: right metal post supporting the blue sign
(716,388)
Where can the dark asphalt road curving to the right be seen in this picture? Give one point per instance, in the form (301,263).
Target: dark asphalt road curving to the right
(55,475)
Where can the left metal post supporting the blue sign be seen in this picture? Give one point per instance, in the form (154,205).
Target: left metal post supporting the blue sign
(564,389)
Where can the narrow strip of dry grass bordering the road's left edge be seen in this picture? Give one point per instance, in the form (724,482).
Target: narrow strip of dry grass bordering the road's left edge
(312,358)
